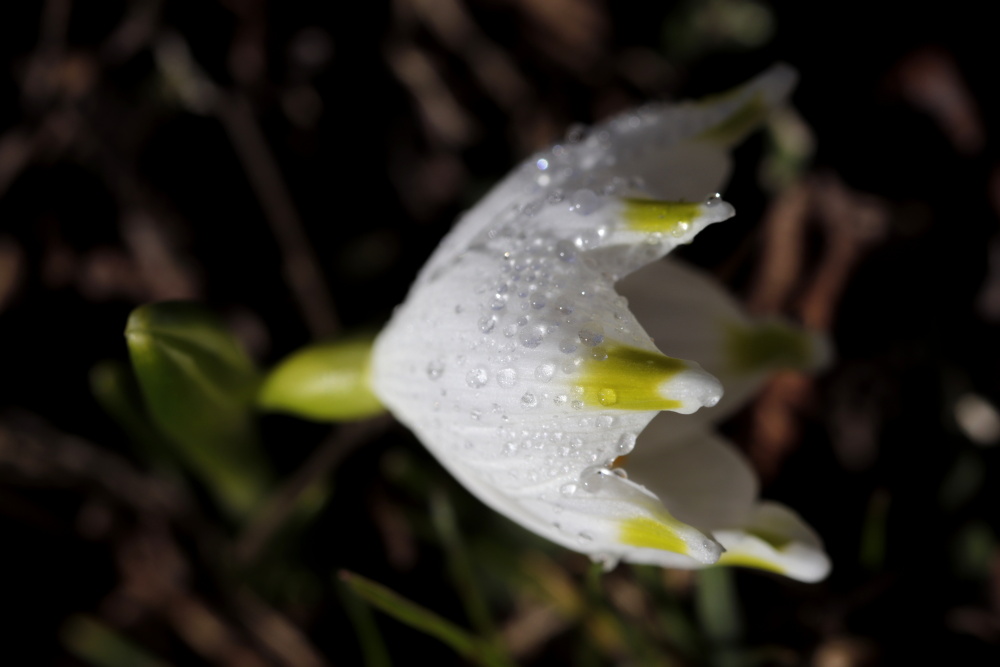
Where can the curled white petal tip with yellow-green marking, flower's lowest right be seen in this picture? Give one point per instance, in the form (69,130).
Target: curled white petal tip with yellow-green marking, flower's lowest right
(778,540)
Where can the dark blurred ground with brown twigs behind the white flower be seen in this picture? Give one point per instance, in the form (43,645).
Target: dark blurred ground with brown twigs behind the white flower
(292,164)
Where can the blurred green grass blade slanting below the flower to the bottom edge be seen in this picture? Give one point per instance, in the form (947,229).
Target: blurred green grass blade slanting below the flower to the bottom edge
(420,618)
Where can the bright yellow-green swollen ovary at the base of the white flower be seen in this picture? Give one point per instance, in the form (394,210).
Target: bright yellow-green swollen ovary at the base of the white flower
(323,382)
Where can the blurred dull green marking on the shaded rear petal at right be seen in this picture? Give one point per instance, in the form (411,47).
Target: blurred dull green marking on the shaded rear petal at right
(767,346)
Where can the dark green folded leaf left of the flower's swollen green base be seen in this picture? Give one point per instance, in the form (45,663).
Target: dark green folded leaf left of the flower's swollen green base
(198,385)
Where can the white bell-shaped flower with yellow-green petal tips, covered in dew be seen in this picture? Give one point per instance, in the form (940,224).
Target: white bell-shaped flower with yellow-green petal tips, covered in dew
(519,366)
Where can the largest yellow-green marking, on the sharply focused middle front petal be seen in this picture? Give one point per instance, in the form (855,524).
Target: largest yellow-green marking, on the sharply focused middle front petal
(627,378)
